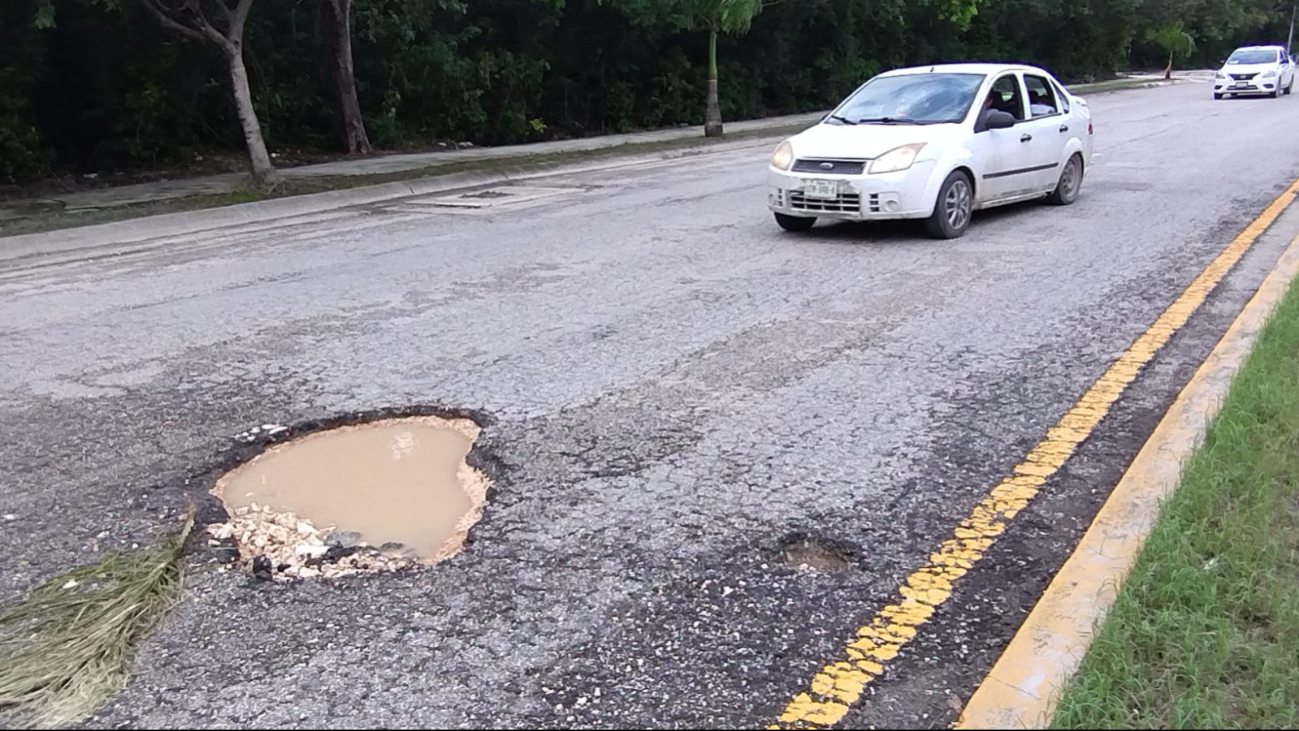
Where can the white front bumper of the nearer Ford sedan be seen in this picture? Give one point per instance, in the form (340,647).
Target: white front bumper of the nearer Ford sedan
(858,198)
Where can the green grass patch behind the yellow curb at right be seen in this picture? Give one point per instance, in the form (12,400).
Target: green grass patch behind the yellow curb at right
(1206,630)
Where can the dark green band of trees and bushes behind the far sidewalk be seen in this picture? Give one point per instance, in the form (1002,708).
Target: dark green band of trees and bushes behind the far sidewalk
(90,89)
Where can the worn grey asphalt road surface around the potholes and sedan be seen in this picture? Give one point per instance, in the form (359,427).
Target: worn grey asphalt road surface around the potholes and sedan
(672,389)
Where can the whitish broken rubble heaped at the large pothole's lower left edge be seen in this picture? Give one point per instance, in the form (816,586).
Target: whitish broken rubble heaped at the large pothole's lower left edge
(289,547)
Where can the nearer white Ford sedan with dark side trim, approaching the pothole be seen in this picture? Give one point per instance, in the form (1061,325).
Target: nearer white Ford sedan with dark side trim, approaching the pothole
(936,143)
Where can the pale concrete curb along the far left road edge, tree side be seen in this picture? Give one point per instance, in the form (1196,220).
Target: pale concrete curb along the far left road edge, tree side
(138,230)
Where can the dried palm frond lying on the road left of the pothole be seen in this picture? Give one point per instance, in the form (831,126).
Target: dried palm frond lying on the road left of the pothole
(66,649)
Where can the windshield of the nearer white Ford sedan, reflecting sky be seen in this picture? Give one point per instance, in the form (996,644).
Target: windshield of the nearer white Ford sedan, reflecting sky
(911,99)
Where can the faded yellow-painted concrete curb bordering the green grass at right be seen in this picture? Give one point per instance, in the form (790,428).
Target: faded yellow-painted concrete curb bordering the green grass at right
(1022,690)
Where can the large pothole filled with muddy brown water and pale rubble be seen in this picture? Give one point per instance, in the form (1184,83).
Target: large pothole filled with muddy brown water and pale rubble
(376,497)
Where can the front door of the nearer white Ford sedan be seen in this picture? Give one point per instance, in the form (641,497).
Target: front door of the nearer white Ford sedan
(1000,154)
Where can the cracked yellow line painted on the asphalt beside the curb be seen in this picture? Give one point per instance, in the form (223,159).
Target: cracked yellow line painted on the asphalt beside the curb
(841,684)
